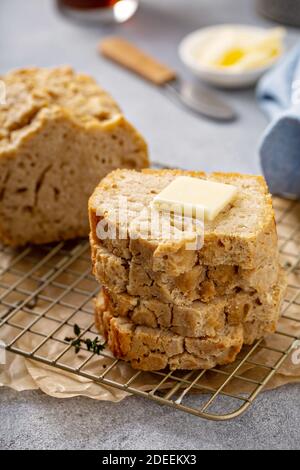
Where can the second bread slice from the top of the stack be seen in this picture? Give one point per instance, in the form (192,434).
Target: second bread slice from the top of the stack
(200,283)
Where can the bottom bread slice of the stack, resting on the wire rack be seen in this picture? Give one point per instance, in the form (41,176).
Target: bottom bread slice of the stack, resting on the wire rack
(154,349)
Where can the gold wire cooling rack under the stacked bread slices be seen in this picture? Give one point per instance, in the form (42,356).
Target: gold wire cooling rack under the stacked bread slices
(46,290)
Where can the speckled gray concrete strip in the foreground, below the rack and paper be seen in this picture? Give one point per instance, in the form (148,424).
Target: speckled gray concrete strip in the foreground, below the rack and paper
(31,420)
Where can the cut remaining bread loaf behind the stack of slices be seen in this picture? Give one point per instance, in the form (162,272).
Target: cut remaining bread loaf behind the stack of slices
(60,133)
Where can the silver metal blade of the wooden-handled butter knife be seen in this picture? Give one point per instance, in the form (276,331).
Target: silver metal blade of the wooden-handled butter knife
(200,100)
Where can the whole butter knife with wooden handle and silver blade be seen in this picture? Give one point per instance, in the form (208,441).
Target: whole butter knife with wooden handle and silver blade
(197,98)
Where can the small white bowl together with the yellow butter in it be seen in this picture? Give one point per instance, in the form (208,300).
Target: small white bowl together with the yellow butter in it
(232,56)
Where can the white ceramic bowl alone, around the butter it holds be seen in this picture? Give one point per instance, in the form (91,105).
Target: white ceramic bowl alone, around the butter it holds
(222,78)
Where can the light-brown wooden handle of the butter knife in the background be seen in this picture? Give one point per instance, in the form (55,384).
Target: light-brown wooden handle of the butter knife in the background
(128,55)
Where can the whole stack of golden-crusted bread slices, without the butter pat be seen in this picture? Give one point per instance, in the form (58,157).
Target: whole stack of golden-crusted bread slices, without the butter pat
(163,305)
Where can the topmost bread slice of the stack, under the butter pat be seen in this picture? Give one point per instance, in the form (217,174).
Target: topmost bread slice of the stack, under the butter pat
(243,234)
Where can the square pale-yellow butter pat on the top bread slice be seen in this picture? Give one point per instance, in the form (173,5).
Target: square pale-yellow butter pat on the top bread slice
(194,197)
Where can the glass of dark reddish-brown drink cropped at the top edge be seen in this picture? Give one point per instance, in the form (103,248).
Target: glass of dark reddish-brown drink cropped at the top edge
(105,11)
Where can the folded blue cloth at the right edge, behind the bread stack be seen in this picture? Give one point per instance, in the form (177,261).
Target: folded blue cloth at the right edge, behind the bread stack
(278,94)
